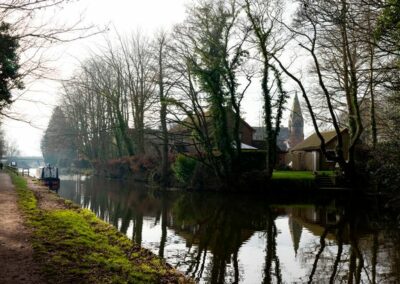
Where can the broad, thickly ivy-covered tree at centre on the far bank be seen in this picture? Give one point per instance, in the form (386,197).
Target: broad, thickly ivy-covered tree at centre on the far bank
(218,54)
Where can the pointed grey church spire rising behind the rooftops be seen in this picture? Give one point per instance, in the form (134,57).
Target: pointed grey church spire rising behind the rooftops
(296,124)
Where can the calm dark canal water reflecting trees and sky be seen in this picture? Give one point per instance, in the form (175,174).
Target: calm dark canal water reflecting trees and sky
(227,238)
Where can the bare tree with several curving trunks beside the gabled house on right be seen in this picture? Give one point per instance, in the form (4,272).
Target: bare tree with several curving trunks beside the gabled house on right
(328,33)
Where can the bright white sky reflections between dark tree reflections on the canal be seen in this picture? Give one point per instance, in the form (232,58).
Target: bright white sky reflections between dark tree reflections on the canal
(252,251)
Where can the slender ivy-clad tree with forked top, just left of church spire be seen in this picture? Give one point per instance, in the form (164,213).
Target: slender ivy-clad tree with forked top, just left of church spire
(265,18)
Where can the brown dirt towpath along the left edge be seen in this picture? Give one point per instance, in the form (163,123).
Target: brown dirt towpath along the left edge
(16,261)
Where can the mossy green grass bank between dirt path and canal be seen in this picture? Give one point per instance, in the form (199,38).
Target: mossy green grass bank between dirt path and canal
(74,246)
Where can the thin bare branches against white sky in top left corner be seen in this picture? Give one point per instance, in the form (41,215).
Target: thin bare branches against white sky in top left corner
(37,27)
